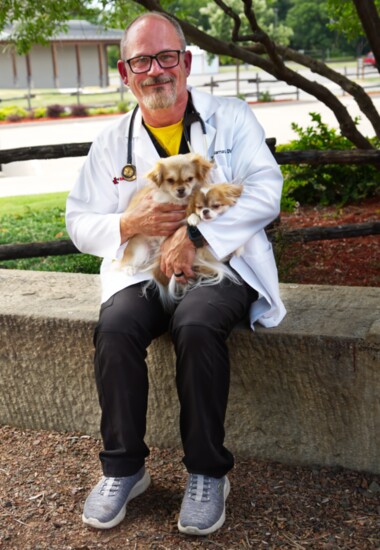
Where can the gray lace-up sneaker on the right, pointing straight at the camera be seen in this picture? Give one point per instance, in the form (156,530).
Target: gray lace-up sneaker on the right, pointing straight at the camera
(203,506)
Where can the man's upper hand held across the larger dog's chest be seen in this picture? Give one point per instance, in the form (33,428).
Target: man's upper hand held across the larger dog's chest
(151,218)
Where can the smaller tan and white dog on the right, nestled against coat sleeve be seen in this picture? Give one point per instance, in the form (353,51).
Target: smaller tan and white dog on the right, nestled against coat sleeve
(206,203)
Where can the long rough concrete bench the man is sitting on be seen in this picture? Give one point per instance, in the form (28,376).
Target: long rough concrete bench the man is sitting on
(305,392)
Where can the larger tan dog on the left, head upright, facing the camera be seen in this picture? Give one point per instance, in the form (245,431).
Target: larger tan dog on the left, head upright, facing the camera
(172,180)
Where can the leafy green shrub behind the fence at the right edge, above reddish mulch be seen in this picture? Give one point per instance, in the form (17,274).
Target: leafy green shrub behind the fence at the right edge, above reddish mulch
(330,183)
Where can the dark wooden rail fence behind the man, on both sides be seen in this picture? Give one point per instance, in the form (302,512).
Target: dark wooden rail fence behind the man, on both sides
(307,234)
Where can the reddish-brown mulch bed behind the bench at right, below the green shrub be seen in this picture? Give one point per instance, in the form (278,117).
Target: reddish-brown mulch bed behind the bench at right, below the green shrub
(350,262)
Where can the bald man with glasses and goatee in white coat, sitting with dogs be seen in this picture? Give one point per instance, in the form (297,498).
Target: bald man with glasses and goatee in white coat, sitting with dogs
(155,65)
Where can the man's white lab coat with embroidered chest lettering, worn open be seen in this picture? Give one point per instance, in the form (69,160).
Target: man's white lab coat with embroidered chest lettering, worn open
(240,153)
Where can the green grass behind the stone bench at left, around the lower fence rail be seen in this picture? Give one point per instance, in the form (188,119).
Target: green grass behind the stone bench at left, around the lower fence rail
(39,218)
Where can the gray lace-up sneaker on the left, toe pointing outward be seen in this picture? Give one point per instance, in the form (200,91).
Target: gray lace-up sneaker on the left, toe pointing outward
(105,506)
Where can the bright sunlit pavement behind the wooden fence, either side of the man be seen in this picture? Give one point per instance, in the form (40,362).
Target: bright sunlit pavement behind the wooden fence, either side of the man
(44,176)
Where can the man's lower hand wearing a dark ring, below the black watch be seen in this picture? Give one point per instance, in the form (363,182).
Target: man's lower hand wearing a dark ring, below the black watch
(177,256)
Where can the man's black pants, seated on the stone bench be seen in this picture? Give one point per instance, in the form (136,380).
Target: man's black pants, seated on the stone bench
(199,328)
